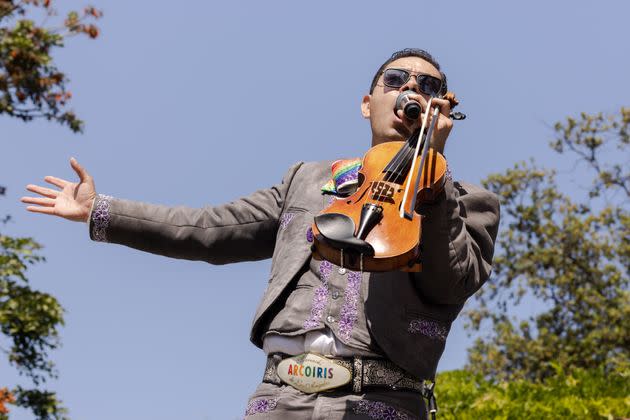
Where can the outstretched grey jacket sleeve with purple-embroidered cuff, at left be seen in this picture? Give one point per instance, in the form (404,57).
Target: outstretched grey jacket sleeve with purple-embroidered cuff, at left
(243,230)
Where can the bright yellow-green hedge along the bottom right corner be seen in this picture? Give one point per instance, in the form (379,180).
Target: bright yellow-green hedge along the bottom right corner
(581,394)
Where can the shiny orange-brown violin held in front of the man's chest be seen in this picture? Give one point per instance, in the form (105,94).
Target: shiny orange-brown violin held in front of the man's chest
(377,227)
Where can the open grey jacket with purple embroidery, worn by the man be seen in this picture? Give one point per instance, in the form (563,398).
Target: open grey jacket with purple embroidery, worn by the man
(409,315)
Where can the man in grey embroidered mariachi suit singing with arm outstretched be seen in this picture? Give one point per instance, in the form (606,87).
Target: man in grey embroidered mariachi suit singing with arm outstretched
(362,343)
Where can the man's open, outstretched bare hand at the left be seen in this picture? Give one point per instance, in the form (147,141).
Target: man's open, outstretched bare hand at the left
(72,202)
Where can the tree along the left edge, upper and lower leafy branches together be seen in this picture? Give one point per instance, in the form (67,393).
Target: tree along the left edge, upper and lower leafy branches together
(31,86)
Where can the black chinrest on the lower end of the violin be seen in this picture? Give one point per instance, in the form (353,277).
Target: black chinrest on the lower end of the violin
(338,229)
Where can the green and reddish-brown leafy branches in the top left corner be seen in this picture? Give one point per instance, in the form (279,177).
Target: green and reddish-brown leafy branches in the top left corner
(31,85)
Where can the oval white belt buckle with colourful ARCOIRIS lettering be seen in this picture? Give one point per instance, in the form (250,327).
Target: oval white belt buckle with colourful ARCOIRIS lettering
(310,373)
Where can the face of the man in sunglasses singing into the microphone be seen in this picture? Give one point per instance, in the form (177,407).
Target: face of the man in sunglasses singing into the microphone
(379,106)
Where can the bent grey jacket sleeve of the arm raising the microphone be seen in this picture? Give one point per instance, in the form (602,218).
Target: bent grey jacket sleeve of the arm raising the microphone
(458,236)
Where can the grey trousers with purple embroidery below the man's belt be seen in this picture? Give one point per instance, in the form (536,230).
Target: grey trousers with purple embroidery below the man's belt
(283,402)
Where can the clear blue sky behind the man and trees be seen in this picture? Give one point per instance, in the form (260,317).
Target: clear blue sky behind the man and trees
(153,338)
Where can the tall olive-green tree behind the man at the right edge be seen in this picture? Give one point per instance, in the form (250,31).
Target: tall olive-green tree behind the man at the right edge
(571,254)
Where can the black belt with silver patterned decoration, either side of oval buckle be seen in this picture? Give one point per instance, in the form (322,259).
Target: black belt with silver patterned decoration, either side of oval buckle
(366,373)
